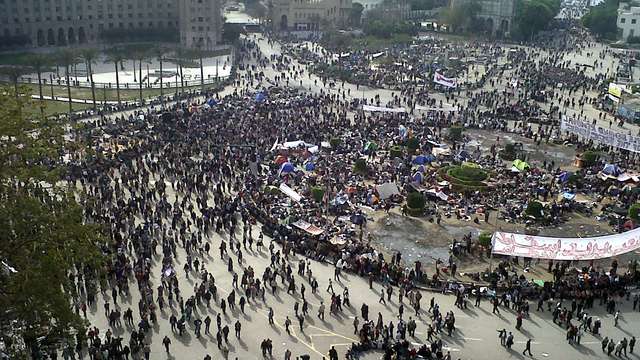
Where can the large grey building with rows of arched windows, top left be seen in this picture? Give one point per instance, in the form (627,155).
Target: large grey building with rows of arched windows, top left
(67,22)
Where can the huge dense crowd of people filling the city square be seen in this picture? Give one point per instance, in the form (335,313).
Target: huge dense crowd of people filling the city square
(166,180)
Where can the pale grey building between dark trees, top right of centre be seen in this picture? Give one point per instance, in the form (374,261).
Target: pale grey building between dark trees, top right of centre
(498,15)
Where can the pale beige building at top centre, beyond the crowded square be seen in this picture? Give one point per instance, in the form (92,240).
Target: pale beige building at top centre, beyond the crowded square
(308,14)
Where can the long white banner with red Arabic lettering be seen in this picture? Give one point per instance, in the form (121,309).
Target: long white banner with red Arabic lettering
(542,247)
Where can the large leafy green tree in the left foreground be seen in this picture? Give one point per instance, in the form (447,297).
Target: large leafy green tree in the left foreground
(43,237)
